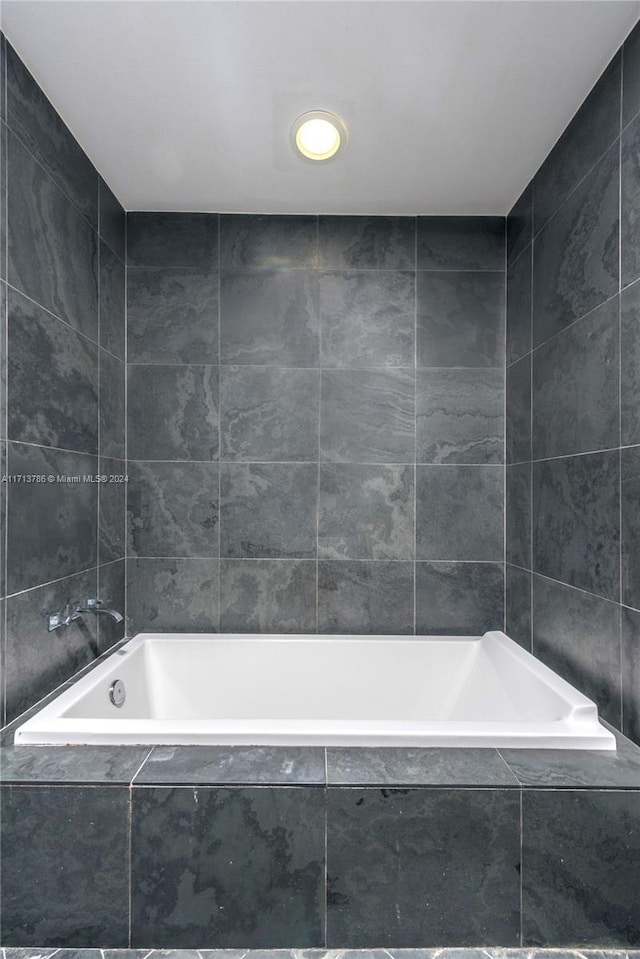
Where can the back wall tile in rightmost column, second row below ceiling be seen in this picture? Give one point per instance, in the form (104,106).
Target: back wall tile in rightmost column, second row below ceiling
(460,319)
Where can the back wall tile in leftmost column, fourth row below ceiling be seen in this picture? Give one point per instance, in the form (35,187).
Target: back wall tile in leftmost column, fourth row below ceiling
(172,509)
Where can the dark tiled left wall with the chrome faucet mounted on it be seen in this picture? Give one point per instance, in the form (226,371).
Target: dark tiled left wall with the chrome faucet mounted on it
(62,335)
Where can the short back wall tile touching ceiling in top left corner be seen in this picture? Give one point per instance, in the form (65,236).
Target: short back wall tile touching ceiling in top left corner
(172,239)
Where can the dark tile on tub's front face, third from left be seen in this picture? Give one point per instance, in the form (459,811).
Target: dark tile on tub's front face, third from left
(423,867)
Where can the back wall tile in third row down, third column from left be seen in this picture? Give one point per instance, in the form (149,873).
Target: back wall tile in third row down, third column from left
(367,416)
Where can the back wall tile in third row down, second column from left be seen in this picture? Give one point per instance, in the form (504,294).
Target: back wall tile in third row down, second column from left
(269,414)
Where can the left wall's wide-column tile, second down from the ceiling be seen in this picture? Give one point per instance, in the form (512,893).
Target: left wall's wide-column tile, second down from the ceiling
(45,234)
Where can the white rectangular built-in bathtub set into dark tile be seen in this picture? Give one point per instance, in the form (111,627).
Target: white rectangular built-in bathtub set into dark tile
(322,690)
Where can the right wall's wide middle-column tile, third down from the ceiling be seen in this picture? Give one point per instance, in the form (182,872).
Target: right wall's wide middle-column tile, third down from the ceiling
(575,387)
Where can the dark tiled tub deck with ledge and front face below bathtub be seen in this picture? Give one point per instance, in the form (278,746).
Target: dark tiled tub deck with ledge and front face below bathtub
(291,847)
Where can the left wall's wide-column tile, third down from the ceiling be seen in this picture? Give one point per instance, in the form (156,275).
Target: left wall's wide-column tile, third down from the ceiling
(52,380)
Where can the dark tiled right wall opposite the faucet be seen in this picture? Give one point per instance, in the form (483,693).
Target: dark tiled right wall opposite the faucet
(573,401)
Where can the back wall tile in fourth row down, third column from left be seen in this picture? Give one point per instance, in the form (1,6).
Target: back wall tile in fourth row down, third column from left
(365,512)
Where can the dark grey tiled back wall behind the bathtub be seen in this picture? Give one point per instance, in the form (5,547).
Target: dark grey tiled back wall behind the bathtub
(315,423)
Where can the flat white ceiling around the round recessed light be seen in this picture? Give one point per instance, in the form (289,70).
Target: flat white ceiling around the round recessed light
(450,106)
